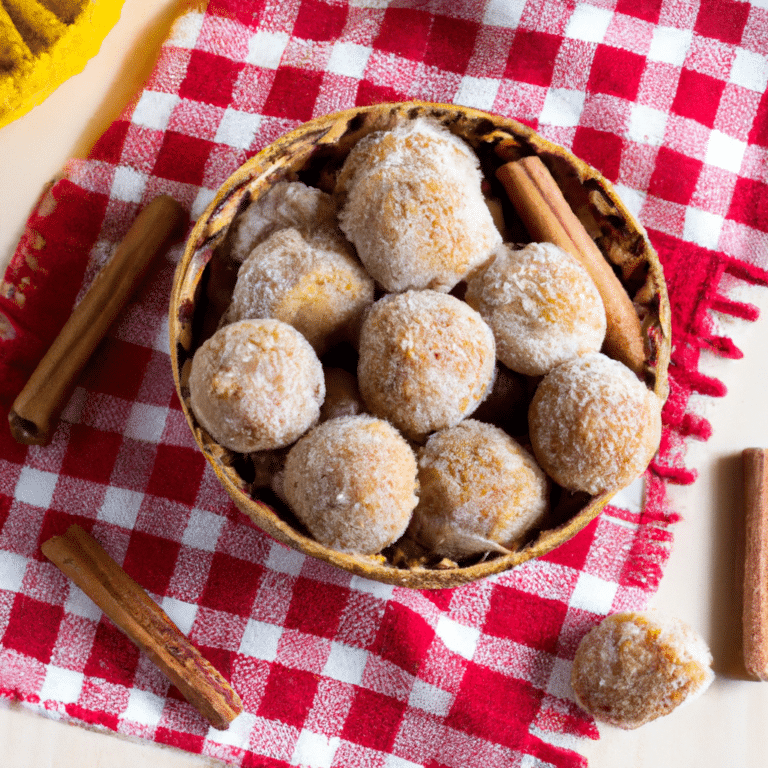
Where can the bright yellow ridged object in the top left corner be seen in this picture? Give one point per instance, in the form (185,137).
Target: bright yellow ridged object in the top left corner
(45,42)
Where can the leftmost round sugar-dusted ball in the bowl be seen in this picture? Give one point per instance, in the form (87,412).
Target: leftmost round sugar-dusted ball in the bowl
(256,385)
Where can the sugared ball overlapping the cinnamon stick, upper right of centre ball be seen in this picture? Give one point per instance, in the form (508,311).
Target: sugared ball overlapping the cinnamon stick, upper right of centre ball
(541,304)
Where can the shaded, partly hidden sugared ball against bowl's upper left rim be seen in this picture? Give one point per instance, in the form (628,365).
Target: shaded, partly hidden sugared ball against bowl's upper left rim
(285,205)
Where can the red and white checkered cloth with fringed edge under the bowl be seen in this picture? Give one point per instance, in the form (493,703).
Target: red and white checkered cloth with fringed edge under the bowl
(666,97)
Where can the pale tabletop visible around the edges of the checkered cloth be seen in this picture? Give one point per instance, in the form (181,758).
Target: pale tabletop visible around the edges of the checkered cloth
(725,727)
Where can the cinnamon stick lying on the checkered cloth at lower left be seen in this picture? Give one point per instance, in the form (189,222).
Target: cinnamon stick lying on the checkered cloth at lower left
(80,557)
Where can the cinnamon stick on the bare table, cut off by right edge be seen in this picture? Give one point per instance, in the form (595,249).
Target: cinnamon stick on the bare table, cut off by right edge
(755,610)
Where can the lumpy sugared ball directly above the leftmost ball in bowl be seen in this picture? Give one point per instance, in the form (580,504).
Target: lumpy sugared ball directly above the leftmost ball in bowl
(318,287)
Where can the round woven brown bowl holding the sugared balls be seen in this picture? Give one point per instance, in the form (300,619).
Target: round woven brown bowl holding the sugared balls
(313,152)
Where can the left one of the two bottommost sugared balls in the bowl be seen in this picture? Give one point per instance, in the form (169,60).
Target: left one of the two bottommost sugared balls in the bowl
(352,482)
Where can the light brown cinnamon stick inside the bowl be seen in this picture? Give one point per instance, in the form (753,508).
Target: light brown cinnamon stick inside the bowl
(548,217)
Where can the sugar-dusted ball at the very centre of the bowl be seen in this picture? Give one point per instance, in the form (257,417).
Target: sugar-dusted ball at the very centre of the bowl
(426,361)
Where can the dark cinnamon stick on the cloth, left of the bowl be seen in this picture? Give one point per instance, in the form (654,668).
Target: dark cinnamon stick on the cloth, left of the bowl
(37,408)
